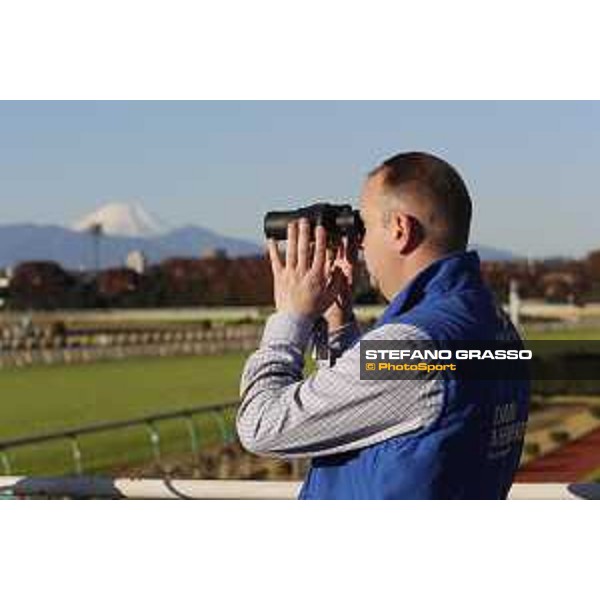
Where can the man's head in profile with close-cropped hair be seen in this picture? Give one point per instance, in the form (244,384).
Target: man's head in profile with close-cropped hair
(416,208)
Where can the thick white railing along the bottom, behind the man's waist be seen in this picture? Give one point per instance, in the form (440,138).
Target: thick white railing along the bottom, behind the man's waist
(188,489)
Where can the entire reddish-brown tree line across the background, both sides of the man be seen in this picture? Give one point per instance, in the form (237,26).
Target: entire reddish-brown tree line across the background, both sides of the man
(223,281)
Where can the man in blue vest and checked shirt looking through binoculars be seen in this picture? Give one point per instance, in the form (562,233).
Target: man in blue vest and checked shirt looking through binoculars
(434,437)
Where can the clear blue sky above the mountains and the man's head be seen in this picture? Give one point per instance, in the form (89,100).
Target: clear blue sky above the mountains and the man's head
(531,166)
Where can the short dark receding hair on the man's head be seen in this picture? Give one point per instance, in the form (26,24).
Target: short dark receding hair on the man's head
(428,177)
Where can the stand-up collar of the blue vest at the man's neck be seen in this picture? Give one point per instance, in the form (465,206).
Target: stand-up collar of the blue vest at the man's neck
(452,271)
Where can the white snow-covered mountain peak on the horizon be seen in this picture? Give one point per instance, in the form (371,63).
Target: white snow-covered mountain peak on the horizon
(120,219)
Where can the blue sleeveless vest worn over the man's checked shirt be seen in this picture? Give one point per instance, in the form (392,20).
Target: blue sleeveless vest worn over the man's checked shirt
(472,449)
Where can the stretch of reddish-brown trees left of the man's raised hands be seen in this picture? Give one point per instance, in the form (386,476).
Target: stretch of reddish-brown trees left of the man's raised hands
(176,282)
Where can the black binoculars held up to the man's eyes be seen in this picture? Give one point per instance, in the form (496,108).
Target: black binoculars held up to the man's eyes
(339,220)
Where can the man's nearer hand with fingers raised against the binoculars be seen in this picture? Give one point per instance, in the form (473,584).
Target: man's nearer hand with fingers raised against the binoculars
(303,285)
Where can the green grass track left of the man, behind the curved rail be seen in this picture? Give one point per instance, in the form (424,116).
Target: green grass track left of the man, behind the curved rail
(46,399)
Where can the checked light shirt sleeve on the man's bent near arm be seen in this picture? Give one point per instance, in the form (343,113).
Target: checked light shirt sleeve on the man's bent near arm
(332,411)
